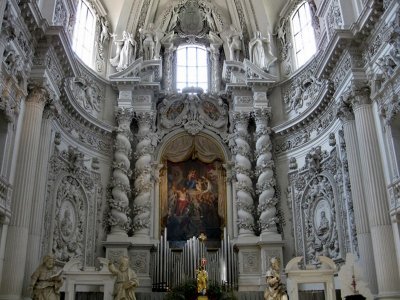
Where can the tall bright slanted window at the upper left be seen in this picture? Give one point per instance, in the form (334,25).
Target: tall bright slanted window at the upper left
(84,33)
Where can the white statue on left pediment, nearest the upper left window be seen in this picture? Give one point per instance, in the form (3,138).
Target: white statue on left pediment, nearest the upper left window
(125,53)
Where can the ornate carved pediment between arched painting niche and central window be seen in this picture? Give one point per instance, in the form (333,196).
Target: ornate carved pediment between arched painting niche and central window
(193,113)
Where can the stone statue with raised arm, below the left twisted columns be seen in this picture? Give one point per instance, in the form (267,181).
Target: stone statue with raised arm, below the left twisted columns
(126,280)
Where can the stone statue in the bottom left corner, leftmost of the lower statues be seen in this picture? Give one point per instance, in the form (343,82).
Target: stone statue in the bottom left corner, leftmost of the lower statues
(46,281)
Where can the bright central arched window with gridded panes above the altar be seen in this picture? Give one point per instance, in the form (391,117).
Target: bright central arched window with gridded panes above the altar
(191,67)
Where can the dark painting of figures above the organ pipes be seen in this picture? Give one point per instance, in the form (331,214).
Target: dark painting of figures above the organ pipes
(192,201)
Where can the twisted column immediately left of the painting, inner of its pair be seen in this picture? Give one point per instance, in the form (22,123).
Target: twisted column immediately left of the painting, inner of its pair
(143,174)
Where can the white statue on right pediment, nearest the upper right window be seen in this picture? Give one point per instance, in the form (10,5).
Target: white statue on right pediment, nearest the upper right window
(260,51)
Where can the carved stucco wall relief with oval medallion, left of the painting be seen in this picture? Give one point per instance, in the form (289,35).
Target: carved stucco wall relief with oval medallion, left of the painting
(73,208)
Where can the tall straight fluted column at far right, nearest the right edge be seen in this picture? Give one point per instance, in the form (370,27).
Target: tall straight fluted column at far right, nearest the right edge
(387,272)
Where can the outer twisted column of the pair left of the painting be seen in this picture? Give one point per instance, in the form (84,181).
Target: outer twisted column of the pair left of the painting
(119,204)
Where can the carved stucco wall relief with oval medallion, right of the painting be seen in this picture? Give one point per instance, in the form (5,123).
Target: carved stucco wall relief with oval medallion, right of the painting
(316,194)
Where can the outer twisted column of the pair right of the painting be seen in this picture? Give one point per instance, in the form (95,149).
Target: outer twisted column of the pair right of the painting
(264,170)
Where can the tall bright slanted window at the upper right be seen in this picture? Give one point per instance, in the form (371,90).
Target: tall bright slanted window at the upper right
(303,34)
